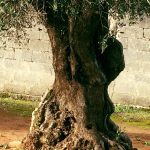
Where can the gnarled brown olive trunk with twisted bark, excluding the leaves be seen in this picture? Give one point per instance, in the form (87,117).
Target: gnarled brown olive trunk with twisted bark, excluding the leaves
(75,114)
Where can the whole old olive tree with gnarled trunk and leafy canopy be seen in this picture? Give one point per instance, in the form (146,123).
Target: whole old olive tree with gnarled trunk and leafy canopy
(75,113)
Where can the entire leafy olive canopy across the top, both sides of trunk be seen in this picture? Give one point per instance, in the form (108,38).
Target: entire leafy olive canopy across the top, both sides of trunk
(14,13)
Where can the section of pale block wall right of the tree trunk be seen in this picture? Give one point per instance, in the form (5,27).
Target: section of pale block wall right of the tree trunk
(133,84)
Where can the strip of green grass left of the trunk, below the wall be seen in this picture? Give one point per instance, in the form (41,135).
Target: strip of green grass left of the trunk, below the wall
(18,107)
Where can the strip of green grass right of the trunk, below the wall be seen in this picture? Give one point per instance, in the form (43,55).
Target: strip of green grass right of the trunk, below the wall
(132,116)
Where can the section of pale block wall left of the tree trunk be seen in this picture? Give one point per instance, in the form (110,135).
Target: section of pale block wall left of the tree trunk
(26,65)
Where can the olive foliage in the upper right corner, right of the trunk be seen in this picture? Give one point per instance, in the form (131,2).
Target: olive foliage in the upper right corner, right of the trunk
(134,9)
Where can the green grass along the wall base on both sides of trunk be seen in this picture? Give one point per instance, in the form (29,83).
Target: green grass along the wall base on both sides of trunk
(123,114)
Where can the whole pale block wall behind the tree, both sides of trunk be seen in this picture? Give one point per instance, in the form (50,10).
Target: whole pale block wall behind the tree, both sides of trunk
(26,68)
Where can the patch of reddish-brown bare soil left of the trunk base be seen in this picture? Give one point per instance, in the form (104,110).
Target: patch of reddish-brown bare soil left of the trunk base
(12,127)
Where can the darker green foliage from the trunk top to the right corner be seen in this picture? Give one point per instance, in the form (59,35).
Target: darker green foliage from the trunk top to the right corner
(117,8)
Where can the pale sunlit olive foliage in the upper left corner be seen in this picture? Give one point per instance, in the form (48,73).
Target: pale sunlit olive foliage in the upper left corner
(13,13)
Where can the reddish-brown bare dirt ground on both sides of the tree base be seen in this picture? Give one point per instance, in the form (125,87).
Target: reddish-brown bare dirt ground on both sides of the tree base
(14,128)
